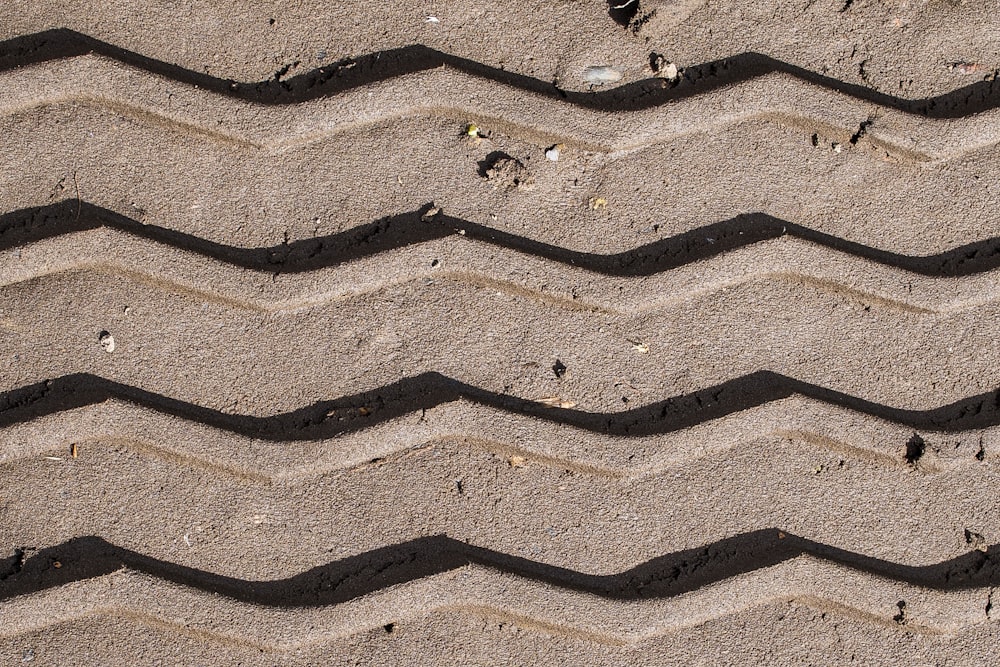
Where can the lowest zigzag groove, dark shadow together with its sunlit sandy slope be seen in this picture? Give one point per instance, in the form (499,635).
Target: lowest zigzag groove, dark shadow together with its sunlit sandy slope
(451,574)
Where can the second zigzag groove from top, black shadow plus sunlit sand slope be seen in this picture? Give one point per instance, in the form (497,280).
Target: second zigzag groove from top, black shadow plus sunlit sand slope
(691,263)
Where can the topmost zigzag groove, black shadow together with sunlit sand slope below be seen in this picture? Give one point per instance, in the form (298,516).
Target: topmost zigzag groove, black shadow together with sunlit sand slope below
(909,128)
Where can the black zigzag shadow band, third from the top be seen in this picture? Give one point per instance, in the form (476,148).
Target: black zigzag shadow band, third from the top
(327,419)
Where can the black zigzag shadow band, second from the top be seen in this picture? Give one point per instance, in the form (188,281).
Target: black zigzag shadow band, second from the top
(33,224)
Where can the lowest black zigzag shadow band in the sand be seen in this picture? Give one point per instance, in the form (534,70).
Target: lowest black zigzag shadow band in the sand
(343,580)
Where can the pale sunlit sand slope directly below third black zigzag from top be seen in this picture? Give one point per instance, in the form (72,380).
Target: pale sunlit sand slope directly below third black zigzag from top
(803,420)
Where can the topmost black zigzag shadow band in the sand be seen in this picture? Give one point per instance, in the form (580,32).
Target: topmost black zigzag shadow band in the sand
(357,72)
